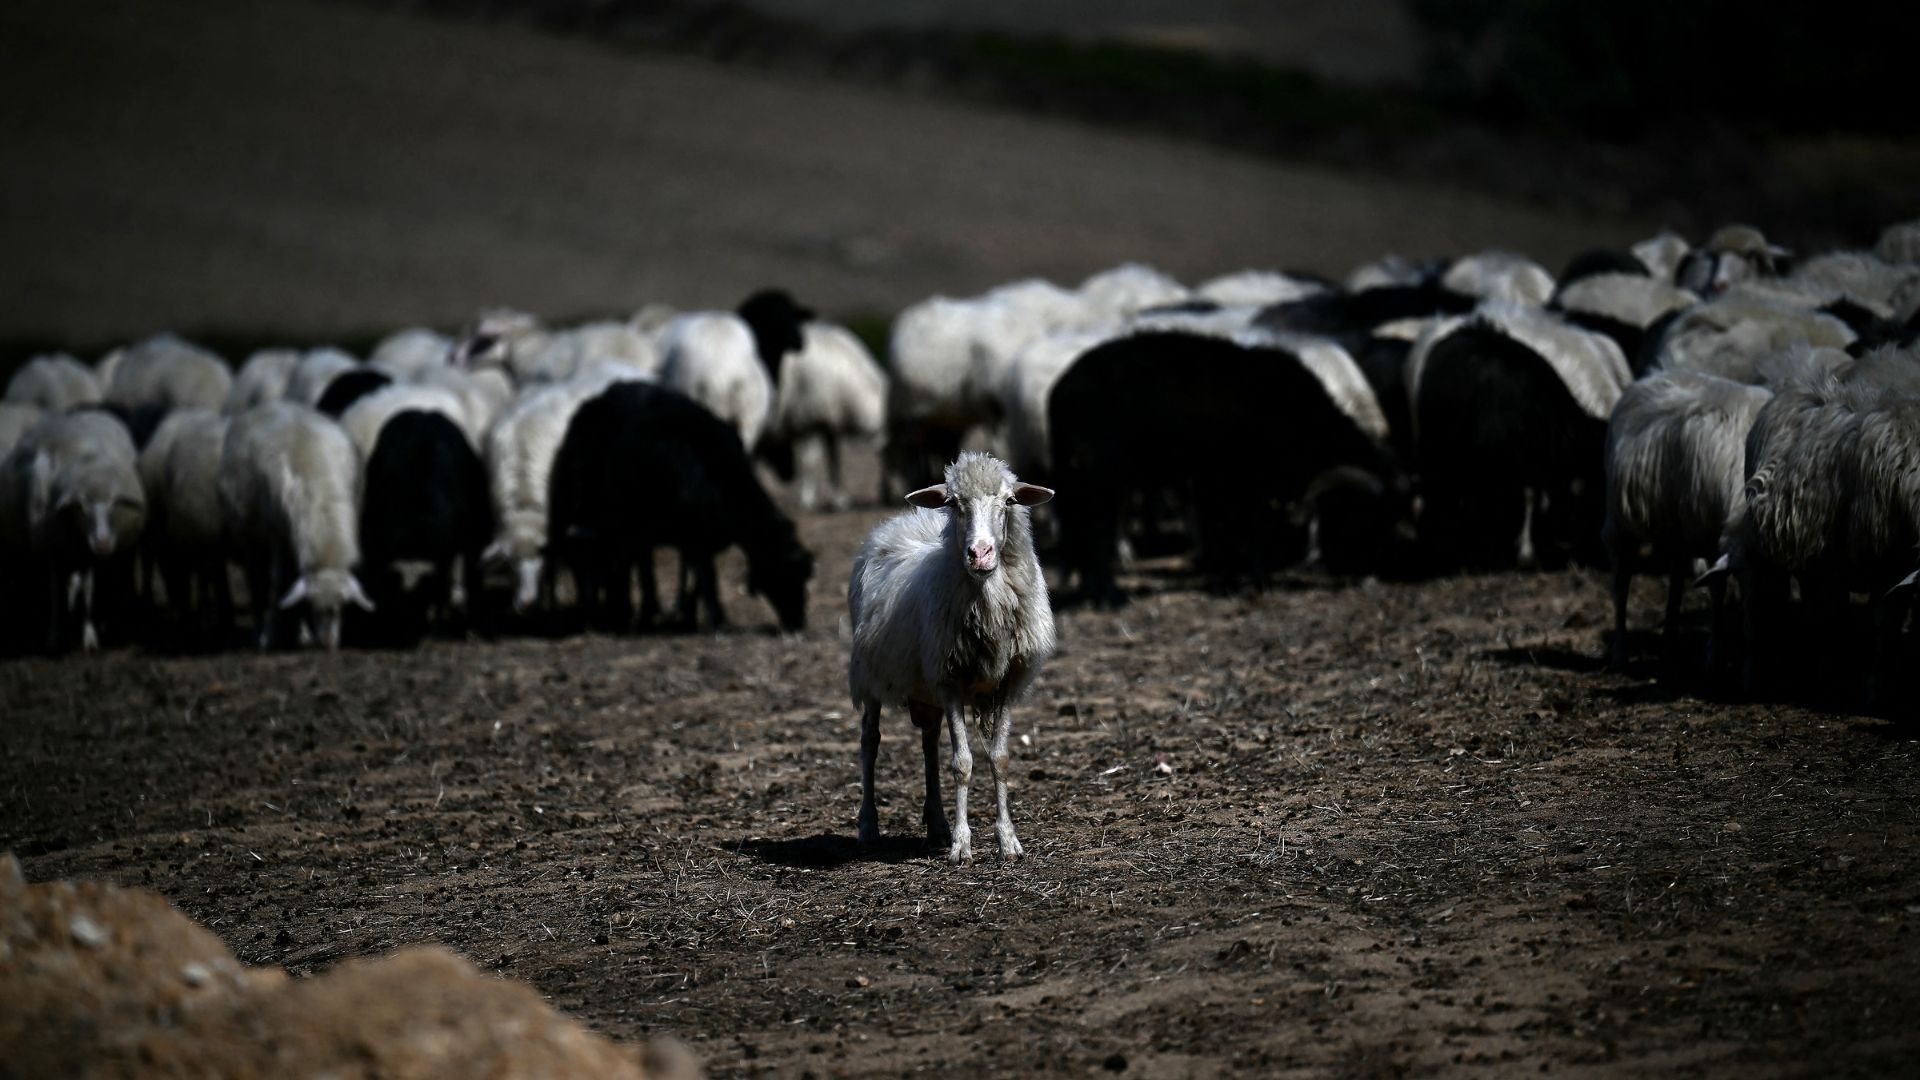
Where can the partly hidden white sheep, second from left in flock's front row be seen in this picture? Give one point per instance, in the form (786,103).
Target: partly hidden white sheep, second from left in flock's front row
(181,468)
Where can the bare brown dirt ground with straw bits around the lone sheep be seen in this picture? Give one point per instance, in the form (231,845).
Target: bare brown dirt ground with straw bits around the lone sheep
(1330,829)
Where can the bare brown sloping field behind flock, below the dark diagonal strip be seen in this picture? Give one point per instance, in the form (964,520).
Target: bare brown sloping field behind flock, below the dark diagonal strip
(327,170)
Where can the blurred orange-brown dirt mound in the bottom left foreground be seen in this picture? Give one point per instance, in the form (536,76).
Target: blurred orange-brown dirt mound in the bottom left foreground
(99,981)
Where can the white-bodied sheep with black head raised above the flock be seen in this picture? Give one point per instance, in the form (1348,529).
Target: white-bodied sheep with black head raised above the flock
(729,360)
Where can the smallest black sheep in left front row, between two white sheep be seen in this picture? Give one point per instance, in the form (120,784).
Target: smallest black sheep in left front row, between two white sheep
(425,506)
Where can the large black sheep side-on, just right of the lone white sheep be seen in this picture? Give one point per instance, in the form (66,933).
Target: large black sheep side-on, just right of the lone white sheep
(1239,433)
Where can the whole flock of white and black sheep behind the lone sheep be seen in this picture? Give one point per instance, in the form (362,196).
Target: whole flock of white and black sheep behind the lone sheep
(1710,412)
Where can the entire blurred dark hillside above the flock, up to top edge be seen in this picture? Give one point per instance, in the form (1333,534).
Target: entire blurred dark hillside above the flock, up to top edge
(300,170)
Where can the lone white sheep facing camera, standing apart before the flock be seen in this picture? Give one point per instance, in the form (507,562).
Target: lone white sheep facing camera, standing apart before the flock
(949,612)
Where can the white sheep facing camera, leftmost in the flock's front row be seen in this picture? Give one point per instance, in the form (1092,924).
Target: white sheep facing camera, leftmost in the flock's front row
(80,508)
